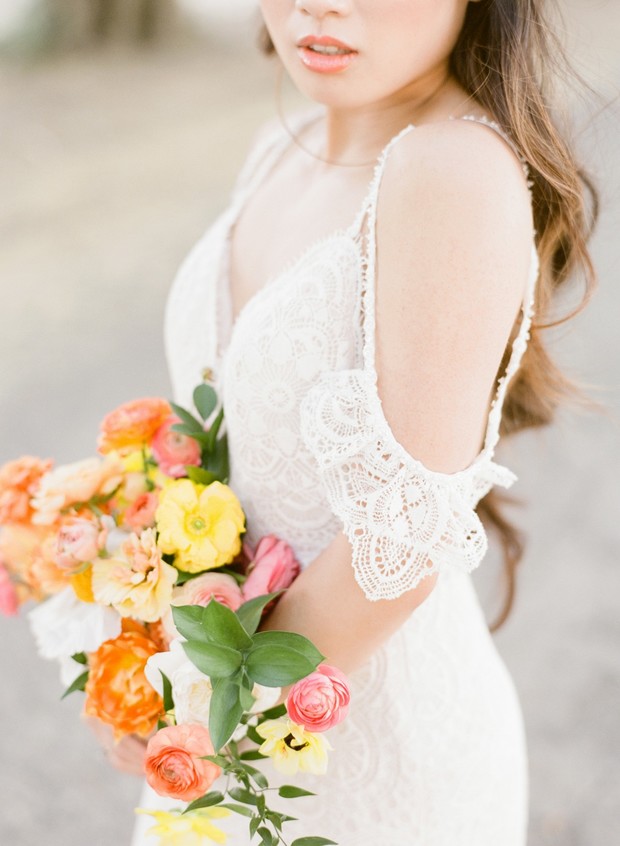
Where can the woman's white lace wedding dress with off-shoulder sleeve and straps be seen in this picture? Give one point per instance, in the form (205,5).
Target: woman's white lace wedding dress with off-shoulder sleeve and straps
(433,752)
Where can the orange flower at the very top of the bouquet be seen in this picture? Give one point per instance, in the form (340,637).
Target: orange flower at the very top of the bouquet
(132,425)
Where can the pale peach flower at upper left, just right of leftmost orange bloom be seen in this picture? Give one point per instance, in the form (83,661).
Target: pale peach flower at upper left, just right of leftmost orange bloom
(72,484)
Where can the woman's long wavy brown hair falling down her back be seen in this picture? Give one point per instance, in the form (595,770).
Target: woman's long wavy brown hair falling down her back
(507,58)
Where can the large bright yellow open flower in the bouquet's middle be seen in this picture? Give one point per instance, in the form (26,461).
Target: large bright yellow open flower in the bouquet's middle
(200,524)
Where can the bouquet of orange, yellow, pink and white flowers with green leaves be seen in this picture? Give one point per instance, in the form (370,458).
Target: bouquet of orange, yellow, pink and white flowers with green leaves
(152,603)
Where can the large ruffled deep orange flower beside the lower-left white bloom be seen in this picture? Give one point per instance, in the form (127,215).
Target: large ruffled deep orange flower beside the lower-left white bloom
(117,691)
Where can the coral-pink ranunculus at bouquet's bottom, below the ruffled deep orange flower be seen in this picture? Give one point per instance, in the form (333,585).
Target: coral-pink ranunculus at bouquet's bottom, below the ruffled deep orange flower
(174,765)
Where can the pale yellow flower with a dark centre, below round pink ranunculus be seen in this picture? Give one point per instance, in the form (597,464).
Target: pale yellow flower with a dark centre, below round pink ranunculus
(292,748)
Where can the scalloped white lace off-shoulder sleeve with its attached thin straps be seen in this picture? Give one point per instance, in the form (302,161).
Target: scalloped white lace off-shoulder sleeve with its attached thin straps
(403,520)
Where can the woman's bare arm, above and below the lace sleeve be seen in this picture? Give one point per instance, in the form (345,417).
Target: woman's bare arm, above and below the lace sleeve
(454,235)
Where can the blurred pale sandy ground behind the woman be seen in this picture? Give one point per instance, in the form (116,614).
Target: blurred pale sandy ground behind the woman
(112,164)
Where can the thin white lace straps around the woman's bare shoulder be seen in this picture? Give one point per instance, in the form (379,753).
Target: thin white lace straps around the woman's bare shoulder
(369,208)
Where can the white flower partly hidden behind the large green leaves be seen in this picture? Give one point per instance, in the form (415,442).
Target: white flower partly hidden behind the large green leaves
(192,690)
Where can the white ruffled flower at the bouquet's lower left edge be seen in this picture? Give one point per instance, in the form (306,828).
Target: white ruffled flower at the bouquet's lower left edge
(63,625)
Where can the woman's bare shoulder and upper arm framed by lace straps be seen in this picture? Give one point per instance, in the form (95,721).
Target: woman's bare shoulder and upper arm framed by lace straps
(454,237)
